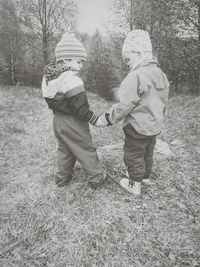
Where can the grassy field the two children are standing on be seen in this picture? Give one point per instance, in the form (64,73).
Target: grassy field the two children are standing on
(42,225)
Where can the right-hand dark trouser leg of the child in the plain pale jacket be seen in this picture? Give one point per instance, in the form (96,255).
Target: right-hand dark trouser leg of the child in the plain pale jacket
(148,157)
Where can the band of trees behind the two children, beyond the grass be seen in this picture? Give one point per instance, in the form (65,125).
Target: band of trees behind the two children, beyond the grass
(30,29)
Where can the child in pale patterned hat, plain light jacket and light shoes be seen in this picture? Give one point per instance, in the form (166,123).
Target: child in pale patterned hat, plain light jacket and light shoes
(143,97)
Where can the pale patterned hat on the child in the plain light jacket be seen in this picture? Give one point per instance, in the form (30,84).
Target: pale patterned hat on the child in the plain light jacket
(136,41)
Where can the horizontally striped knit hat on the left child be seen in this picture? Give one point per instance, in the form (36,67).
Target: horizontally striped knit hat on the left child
(70,47)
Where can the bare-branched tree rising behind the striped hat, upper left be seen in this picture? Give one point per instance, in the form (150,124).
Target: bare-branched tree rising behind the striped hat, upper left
(45,19)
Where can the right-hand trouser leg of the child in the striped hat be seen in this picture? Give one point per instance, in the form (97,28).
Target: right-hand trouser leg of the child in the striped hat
(77,138)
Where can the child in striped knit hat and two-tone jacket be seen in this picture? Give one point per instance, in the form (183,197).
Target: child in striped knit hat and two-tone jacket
(64,93)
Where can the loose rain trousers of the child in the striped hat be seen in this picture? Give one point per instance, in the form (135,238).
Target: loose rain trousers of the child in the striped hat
(75,143)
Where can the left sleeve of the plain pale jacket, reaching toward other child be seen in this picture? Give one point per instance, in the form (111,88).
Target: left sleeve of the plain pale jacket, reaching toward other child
(128,99)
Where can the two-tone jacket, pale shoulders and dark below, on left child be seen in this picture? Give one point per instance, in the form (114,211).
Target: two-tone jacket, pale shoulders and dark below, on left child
(66,94)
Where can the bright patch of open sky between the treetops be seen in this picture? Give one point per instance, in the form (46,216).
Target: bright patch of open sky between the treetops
(93,14)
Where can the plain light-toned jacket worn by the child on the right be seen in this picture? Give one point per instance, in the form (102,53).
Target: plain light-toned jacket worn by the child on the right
(143,96)
